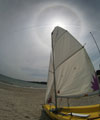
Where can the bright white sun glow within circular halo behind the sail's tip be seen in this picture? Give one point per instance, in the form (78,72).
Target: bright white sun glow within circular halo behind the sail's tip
(57,15)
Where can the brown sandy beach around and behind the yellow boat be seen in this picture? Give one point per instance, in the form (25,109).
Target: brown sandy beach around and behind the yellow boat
(26,104)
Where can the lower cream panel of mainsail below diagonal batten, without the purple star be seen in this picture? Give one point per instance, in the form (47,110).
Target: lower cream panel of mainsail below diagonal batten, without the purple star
(74,76)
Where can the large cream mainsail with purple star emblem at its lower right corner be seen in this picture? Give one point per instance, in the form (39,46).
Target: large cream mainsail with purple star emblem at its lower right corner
(74,71)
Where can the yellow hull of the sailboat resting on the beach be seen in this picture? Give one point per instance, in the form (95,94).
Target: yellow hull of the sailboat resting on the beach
(93,111)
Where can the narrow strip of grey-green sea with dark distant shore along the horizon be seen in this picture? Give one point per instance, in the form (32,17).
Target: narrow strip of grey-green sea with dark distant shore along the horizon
(22,83)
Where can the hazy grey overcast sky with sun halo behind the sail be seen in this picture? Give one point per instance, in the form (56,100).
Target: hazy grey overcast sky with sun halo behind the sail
(25,33)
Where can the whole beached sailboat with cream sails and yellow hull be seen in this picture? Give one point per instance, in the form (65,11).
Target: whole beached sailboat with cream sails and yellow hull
(71,75)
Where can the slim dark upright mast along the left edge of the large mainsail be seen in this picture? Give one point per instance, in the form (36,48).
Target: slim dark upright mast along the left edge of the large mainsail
(54,75)
